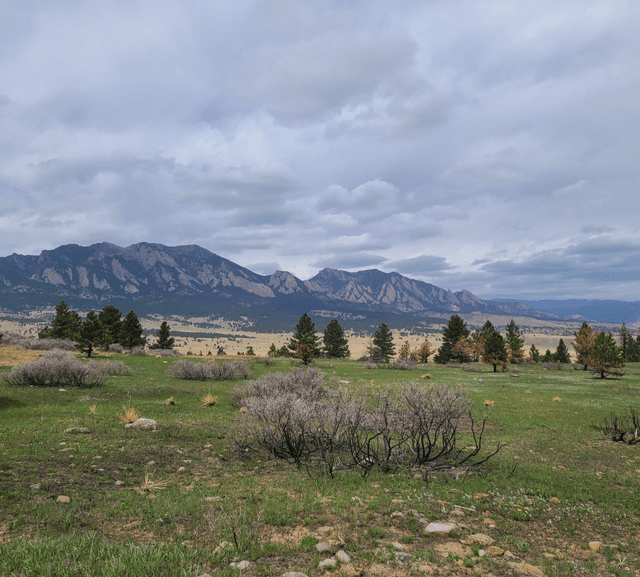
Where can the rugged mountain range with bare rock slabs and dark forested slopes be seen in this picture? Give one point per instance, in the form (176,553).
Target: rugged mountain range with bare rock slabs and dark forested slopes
(191,278)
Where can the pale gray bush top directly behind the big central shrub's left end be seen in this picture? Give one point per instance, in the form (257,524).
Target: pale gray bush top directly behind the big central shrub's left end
(304,384)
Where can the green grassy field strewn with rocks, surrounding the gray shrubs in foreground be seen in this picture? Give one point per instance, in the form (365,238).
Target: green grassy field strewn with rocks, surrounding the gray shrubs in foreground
(179,501)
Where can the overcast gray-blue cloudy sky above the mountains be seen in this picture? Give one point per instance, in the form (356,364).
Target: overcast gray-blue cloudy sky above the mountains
(490,145)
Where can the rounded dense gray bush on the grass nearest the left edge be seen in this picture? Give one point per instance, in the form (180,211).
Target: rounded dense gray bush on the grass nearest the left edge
(57,369)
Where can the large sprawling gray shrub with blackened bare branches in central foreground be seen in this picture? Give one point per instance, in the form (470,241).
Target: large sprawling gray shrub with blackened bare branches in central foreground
(415,427)
